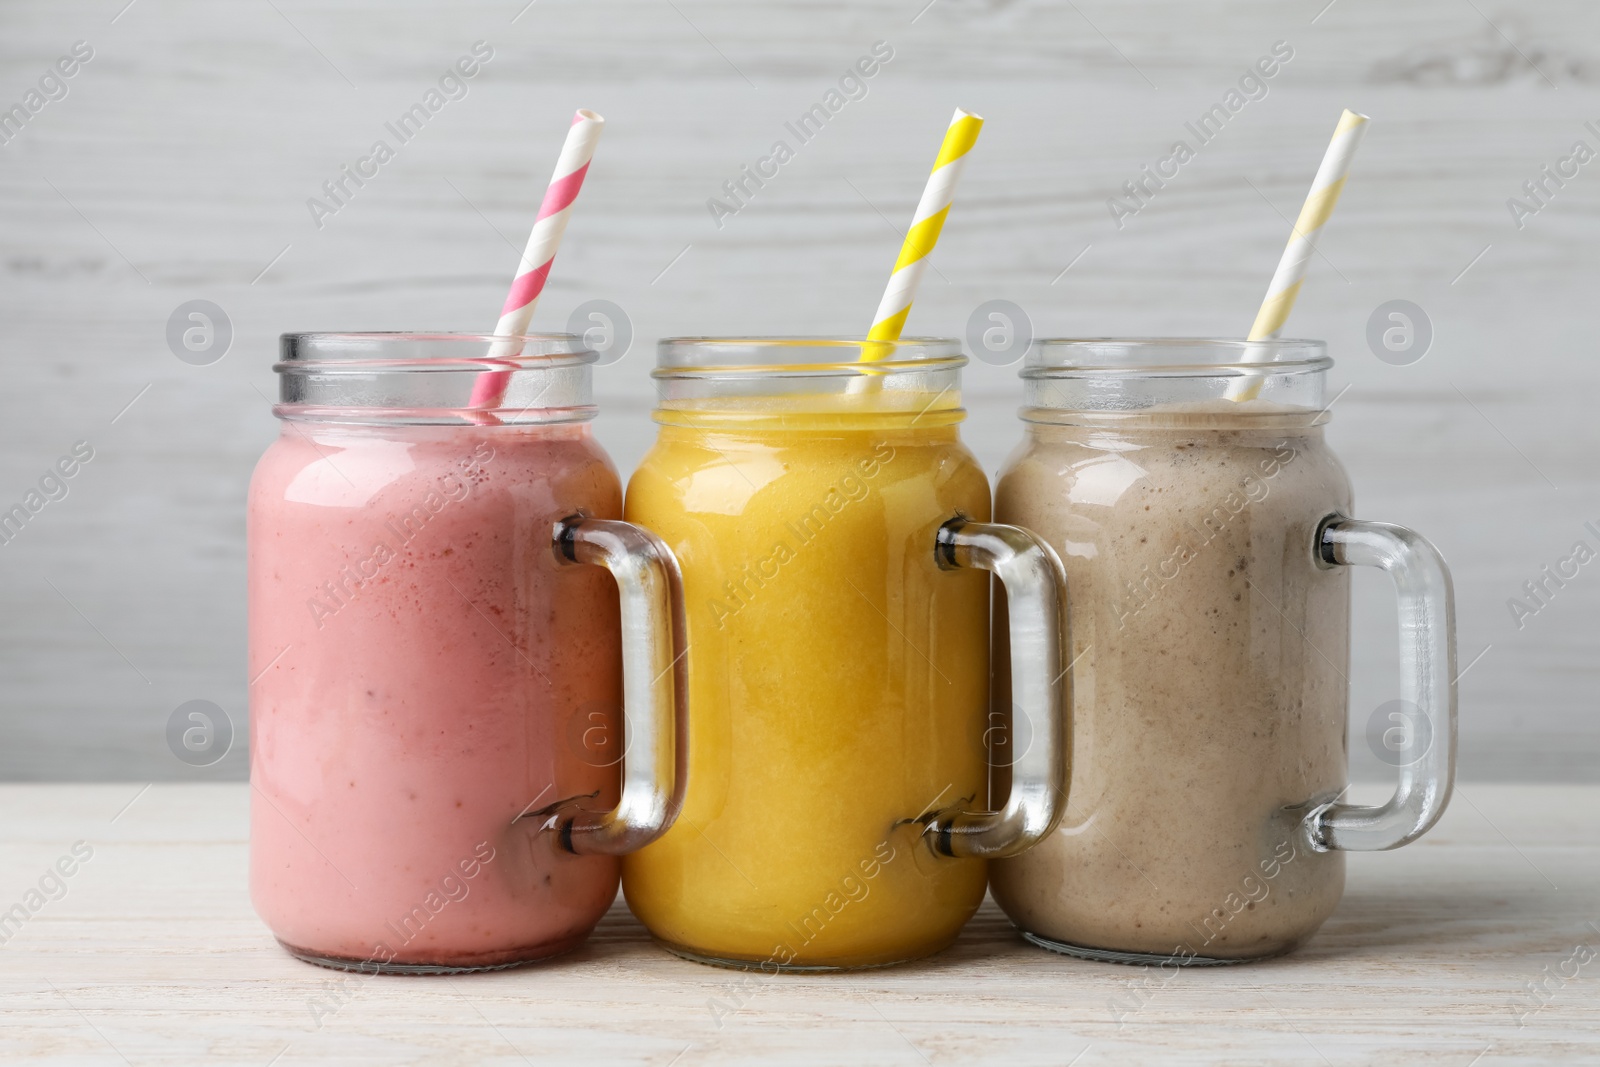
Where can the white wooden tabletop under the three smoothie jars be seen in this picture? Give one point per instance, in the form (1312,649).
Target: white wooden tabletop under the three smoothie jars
(156,957)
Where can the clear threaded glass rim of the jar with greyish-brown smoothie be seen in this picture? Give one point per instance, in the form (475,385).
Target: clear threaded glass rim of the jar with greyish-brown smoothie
(1177,358)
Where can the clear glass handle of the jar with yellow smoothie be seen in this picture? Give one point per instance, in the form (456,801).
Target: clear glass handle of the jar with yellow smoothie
(1036,589)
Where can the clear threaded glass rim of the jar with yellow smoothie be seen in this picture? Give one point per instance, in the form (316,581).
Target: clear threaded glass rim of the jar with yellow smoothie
(820,356)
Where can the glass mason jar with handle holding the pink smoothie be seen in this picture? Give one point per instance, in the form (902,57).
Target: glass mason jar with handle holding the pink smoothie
(441,669)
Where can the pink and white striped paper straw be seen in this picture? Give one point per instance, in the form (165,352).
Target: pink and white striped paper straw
(537,258)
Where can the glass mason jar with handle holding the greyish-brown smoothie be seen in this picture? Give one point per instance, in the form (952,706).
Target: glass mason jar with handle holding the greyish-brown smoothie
(1209,543)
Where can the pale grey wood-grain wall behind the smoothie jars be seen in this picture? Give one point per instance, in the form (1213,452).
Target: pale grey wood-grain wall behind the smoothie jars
(178,161)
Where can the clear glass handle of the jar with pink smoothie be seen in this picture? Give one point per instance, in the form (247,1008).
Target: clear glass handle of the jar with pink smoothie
(655,684)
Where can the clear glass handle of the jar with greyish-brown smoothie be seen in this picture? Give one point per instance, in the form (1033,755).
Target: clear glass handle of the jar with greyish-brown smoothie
(1428,682)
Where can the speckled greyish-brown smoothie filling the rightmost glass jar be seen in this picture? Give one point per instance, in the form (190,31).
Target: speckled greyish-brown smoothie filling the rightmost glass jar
(1210,681)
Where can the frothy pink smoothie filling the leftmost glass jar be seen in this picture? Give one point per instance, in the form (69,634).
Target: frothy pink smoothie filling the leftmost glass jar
(425,671)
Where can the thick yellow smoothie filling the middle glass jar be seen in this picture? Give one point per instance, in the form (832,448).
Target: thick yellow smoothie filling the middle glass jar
(838,679)
